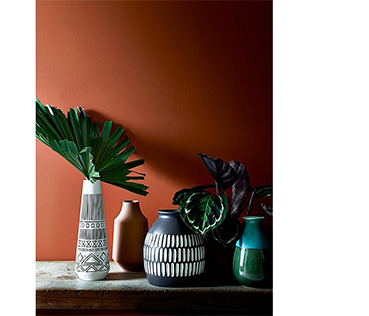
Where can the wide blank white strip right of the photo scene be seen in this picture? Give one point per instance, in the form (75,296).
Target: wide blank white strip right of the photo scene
(321,161)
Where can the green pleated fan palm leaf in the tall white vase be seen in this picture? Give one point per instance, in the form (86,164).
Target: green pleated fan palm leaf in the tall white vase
(97,155)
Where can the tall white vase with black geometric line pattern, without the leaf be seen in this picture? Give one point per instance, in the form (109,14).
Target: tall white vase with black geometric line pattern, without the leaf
(92,257)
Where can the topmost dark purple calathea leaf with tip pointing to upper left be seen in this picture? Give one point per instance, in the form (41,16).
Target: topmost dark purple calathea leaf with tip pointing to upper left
(222,172)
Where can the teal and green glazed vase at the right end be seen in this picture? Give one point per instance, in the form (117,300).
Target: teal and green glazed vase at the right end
(252,260)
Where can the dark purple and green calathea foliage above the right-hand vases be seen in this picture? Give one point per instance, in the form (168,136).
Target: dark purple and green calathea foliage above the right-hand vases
(218,213)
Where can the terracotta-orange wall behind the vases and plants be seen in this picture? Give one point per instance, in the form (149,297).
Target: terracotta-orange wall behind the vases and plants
(181,77)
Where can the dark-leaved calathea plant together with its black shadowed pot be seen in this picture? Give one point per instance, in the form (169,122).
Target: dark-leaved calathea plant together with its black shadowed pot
(216,215)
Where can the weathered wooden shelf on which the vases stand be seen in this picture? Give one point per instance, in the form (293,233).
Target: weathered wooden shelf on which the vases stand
(58,287)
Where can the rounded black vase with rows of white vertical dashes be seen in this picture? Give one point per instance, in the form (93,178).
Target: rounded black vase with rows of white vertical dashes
(174,256)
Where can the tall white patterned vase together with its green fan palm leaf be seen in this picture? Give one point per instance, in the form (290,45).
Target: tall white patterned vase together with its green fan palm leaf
(99,156)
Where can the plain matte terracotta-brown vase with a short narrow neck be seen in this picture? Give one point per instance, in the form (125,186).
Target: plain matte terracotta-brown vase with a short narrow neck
(130,228)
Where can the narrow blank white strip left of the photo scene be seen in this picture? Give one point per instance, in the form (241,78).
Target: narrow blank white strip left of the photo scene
(17,64)
